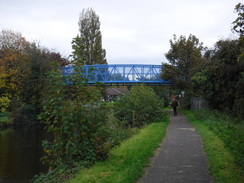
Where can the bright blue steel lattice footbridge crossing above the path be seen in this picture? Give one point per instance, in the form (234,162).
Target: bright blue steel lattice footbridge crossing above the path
(122,74)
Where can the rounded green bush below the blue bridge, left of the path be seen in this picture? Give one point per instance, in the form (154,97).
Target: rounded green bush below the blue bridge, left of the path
(139,107)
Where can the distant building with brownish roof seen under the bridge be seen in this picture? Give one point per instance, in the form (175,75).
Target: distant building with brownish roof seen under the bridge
(113,94)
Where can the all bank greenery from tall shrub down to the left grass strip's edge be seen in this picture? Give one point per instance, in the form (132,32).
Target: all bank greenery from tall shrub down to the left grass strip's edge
(78,121)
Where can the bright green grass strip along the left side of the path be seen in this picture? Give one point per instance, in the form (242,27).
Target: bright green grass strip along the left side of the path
(127,161)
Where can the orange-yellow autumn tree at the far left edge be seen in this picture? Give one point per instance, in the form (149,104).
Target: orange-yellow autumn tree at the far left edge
(13,63)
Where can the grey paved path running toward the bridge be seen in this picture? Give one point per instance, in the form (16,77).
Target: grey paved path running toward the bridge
(180,157)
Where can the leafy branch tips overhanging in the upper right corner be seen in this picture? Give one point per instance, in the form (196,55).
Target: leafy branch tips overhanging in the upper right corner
(238,24)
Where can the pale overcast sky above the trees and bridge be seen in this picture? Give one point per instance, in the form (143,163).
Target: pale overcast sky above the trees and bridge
(133,31)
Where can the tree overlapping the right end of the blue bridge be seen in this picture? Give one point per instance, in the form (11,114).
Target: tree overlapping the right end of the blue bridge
(185,59)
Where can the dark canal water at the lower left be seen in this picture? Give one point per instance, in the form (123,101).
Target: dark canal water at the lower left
(20,153)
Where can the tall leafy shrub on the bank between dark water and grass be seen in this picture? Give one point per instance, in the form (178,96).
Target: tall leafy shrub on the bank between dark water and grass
(75,117)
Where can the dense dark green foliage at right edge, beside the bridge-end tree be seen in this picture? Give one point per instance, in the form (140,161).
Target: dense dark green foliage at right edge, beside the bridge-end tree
(221,81)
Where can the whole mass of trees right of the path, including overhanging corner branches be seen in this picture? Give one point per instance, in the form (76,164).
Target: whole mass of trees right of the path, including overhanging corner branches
(216,74)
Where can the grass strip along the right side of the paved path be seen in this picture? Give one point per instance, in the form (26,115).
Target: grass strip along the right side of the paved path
(222,161)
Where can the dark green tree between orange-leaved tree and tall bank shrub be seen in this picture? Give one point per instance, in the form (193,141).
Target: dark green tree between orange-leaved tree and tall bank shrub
(40,60)
